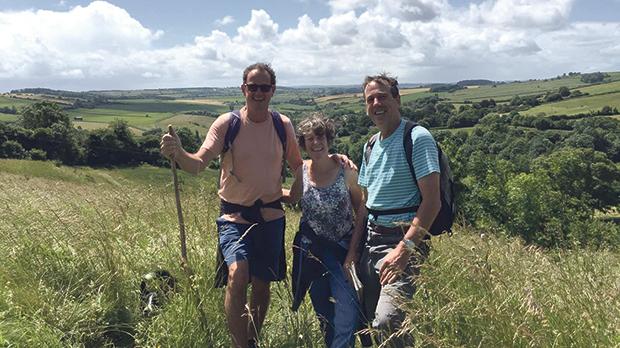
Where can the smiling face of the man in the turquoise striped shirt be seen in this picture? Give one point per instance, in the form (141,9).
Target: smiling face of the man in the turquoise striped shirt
(381,106)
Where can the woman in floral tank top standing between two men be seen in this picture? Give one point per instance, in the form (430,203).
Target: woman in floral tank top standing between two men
(331,226)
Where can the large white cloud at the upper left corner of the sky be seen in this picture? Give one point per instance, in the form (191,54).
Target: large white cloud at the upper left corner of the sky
(46,44)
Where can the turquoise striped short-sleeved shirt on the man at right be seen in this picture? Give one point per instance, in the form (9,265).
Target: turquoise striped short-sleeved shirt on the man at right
(387,177)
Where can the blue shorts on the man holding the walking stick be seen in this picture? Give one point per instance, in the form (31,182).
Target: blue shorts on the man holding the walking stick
(261,246)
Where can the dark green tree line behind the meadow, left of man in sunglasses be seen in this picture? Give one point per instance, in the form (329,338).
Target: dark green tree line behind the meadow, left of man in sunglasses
(45,132)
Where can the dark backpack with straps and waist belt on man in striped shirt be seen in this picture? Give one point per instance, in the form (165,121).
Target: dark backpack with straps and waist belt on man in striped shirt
(445,217)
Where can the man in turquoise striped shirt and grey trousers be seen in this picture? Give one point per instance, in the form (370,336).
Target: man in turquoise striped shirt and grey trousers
(395,246)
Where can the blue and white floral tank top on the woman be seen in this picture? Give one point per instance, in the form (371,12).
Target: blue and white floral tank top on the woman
(327,210)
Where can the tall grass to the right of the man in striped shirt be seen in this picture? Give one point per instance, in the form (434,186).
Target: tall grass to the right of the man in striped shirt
(496,292)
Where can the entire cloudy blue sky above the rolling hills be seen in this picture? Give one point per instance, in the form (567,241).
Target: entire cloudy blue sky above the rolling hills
(120,44)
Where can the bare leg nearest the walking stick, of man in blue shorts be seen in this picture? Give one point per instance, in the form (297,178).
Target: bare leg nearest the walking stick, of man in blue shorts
(234,302)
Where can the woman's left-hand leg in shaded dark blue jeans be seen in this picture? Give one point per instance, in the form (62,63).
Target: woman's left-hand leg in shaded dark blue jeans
(324,308)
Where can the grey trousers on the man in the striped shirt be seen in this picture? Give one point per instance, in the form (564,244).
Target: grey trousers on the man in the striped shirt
(383,304)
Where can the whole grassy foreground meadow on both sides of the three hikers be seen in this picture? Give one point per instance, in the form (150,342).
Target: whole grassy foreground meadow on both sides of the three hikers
(75,242)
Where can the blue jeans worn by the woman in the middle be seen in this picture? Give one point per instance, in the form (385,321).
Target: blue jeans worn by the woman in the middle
(335,303)
